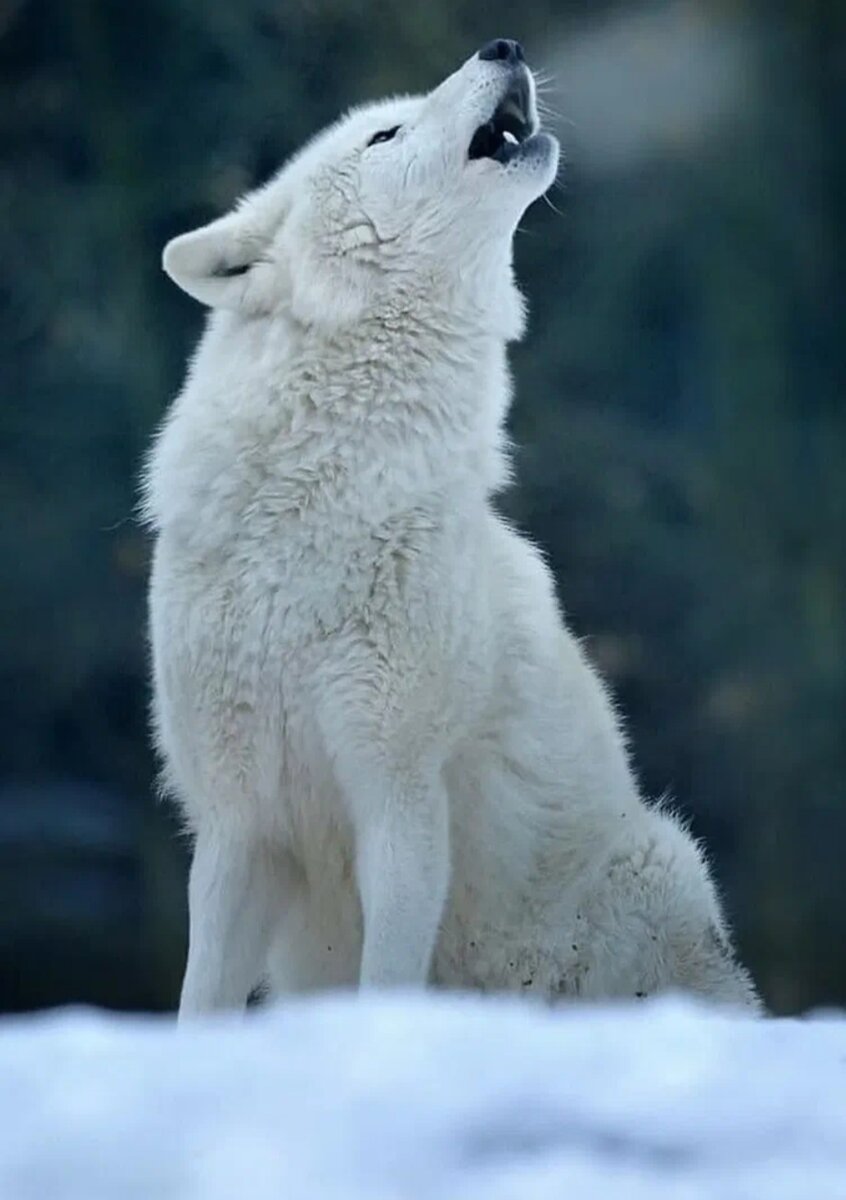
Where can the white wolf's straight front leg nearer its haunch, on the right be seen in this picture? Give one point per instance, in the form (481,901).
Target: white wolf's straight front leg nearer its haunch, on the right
(403,835)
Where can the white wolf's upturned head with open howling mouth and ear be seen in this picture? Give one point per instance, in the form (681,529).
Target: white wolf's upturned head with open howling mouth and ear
(412,193)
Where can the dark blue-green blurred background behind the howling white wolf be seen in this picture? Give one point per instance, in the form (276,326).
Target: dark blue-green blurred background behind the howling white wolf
(681,422)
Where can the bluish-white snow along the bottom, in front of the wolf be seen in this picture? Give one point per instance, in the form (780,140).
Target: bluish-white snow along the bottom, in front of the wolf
(345,1099)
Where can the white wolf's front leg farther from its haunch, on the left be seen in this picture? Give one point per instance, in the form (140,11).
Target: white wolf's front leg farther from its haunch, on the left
(236,891)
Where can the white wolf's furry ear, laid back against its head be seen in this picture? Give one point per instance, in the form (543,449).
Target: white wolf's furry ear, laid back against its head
(214,265)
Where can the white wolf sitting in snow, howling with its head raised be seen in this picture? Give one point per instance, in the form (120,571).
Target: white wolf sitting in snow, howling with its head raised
(397,764)
